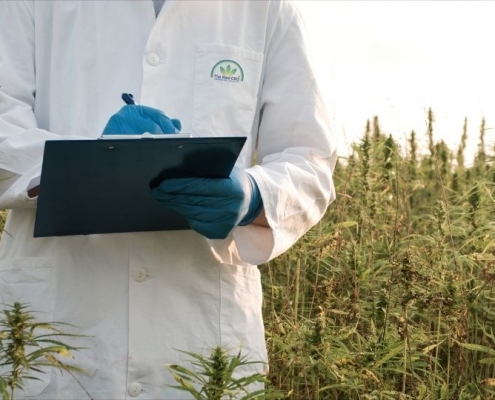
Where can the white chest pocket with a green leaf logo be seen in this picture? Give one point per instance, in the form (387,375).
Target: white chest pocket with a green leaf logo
(226,85)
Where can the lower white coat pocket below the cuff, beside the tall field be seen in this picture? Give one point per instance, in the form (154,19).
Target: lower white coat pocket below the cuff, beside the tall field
(241,321)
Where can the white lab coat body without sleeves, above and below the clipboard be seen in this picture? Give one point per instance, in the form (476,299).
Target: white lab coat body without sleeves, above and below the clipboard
(201,62)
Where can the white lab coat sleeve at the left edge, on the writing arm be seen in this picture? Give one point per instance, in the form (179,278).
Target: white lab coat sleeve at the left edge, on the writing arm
(21,141)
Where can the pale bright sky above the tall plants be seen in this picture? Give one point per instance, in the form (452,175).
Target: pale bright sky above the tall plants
(395,59)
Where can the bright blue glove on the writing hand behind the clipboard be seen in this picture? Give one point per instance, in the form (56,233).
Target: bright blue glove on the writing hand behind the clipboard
(136,120)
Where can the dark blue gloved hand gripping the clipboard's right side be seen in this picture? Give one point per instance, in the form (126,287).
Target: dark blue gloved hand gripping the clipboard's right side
(213,207)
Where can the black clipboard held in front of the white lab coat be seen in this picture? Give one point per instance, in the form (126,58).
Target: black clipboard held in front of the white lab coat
(103,186)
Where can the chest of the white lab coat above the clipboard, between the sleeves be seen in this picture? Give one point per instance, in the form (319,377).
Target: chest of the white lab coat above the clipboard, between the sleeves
(199,61)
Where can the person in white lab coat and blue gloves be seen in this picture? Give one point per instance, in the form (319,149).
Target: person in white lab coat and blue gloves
(223,68)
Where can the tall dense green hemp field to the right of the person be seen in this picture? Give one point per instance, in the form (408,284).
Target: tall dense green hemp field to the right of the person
(392,294)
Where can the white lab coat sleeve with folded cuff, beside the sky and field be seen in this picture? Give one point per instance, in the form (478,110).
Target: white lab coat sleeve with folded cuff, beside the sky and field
(295,150)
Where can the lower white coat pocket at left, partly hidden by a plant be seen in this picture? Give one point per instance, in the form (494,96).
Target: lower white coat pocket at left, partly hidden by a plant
(29,281)
